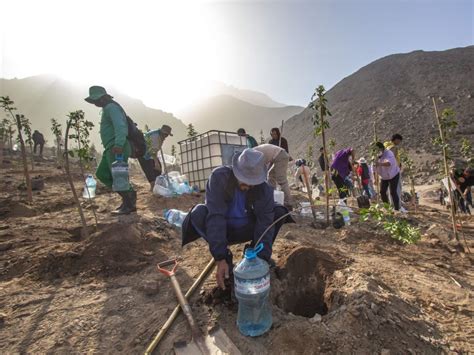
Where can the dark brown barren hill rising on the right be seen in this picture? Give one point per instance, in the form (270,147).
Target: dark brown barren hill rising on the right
(395,91)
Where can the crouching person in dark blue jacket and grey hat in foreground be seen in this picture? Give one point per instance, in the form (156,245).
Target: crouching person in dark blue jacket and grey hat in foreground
(239,207)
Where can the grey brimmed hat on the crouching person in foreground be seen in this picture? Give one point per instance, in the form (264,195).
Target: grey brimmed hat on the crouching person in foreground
(249,167)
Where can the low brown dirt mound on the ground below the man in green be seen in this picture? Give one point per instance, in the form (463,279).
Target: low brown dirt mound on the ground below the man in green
(114,250)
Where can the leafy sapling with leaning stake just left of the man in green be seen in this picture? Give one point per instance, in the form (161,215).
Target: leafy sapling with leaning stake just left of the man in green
(80,133)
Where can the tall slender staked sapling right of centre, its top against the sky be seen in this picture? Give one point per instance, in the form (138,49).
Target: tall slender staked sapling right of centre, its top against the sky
(319,105)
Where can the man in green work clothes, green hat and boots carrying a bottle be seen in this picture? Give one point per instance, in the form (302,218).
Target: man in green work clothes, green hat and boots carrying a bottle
(113,134)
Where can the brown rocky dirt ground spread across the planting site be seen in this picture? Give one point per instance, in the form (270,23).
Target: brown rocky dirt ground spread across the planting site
(352,290)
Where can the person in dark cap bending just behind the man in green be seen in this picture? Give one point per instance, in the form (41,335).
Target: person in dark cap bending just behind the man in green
(149,163)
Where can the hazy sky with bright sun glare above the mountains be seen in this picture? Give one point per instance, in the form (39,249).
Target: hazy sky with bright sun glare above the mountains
(165,53)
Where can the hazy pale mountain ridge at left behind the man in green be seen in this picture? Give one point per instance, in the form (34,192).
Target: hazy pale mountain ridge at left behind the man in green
(43,97)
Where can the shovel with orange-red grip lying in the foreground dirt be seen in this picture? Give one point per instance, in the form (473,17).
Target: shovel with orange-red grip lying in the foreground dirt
(216,342)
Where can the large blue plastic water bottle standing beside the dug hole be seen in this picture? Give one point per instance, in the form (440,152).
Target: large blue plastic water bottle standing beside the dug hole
(252,289)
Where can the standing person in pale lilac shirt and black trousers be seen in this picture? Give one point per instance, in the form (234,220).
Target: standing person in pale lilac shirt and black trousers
(389,172)
